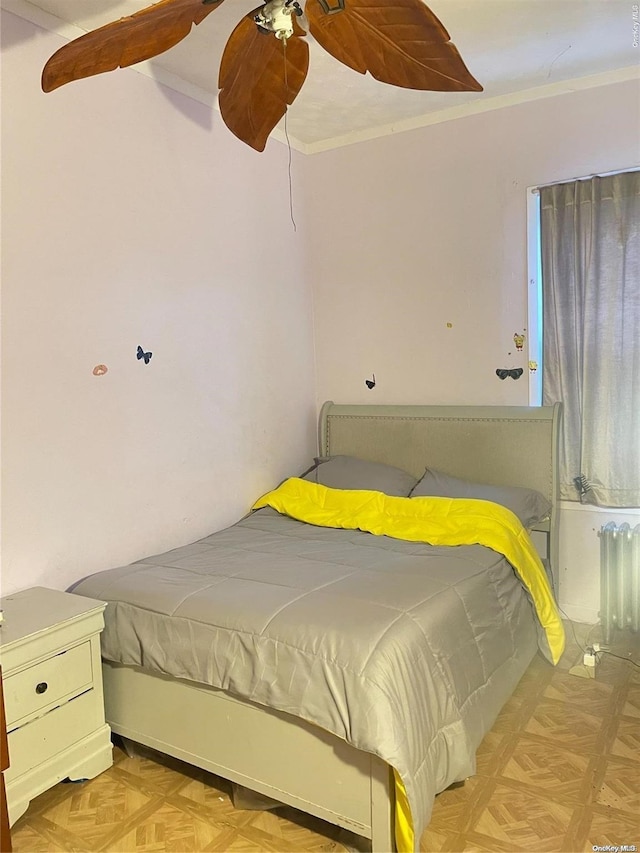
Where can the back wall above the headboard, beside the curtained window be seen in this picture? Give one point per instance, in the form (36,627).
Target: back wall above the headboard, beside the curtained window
(415,231)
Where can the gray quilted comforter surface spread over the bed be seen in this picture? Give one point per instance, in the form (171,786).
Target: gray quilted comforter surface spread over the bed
(404,650)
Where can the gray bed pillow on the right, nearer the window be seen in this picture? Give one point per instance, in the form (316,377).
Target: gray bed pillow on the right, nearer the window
(529,505)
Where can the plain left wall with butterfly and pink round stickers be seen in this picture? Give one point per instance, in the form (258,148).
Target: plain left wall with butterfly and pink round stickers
(131,217)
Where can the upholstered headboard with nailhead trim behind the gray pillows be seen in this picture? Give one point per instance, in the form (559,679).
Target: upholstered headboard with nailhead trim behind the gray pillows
(499,445)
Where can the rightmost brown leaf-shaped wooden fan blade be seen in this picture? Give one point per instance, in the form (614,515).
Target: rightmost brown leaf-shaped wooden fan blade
(397,41)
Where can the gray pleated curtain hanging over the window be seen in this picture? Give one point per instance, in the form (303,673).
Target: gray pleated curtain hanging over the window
(590,245)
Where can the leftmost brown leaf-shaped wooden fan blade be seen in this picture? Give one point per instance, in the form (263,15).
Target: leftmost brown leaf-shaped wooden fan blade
(125,42)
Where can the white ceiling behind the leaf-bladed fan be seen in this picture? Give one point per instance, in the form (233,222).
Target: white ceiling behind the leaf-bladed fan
(517,49)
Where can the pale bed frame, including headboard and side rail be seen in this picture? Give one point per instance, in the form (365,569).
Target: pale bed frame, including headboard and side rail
(281,756)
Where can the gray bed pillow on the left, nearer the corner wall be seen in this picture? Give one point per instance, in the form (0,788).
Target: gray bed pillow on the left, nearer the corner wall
(348,472)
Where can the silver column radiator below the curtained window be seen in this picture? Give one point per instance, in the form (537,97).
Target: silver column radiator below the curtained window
(619,578)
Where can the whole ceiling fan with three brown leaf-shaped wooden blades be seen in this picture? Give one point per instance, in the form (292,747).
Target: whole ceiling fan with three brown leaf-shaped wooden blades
(266,58)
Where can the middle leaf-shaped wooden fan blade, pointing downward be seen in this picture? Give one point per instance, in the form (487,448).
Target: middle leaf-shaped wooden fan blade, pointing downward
(259,76)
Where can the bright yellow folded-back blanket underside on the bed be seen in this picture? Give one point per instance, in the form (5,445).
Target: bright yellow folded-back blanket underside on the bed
(437,521)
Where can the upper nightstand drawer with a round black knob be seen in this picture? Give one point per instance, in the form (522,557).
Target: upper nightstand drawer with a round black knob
(49,683)
